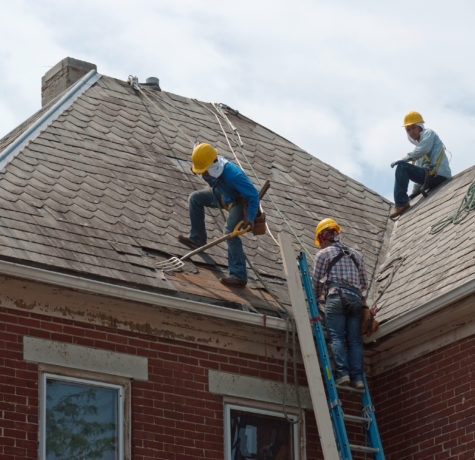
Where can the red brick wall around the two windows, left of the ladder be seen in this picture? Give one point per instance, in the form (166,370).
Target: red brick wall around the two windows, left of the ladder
(173,415)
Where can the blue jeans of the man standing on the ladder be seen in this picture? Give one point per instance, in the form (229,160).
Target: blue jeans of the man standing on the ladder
(343,321)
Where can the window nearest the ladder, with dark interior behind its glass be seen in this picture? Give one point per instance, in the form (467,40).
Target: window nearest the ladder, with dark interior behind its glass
(256,434)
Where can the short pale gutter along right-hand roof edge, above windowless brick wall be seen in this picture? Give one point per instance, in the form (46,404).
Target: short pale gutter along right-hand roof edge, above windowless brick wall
(425,309)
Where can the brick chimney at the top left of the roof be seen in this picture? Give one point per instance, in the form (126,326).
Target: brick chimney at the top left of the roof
(60,77)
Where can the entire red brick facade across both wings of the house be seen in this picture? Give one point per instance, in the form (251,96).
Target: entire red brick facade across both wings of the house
(424,408)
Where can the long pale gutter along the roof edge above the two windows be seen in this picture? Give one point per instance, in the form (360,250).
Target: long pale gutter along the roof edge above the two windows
(137,295)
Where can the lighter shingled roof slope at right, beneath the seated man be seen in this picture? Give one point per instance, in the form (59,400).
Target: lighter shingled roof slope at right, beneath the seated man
(420,266)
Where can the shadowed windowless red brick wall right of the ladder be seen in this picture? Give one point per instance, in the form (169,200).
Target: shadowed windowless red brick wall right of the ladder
(425,408)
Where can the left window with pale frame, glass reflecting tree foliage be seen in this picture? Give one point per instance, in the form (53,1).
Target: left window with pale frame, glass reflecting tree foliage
(81,419)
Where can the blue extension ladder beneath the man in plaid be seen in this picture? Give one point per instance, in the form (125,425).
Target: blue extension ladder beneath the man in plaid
(337,416)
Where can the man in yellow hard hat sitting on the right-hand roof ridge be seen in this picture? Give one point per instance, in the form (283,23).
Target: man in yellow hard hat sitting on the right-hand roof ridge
(431,166)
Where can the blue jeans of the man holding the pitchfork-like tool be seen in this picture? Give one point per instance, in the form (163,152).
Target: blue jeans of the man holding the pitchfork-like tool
(206,198)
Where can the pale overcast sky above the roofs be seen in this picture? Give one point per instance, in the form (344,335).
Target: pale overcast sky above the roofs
(334,77)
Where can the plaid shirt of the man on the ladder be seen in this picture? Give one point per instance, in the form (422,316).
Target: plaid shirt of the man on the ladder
(344,271)
